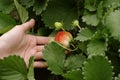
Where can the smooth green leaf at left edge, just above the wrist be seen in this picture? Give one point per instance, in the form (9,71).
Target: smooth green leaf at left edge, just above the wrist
(6,23)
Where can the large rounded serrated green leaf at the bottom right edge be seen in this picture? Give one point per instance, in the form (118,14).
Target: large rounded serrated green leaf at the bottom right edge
(97,68)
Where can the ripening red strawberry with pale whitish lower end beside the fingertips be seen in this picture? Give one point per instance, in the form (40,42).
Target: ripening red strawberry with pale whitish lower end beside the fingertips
(64,38)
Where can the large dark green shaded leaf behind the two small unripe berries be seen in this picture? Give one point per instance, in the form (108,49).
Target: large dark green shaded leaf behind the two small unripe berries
(60,11)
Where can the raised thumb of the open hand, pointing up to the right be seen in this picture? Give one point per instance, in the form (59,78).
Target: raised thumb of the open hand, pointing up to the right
(28,25)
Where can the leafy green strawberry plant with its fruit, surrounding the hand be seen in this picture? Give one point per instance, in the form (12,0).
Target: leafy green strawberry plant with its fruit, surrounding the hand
(89,28)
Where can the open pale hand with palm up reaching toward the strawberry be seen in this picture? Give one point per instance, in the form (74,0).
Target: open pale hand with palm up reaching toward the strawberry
(17,42)
